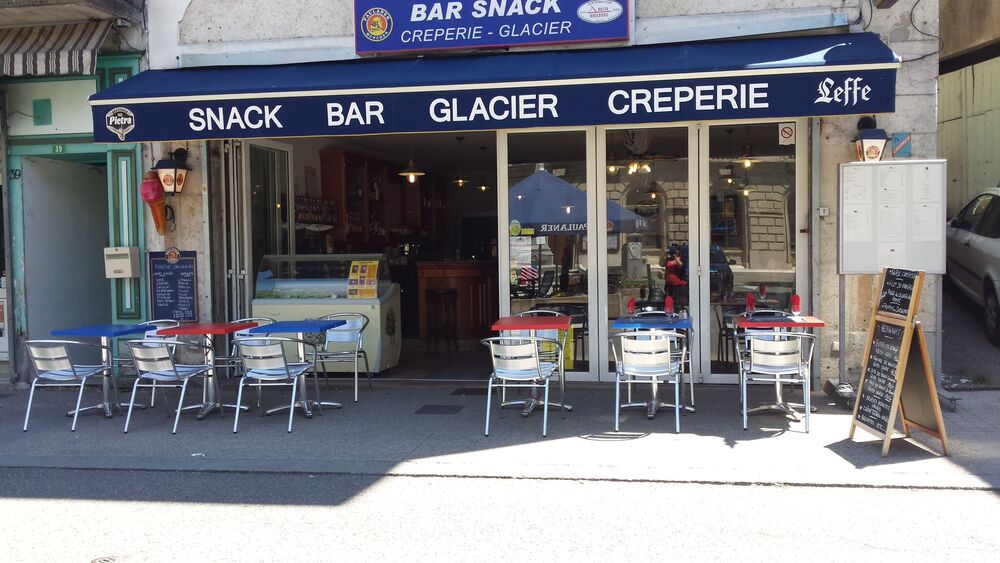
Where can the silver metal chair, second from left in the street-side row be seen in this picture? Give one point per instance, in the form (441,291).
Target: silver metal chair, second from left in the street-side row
(154,362)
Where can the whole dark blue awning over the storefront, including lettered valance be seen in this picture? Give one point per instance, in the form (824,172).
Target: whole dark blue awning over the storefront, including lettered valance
(786,77)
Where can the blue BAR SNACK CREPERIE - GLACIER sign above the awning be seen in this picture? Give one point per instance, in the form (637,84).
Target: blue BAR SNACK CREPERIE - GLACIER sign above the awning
(397,26)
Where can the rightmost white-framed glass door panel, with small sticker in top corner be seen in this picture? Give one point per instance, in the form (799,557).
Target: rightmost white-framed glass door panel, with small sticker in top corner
(752,229)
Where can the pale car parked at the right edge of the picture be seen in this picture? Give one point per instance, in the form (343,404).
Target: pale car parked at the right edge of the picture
(974,255)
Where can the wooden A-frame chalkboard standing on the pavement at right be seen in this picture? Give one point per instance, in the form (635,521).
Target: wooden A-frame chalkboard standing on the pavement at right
(896,376)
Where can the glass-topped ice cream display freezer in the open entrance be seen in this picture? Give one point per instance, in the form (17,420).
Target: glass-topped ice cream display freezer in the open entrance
(295,287)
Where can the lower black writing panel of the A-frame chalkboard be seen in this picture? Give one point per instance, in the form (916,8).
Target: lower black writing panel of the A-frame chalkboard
(879,384)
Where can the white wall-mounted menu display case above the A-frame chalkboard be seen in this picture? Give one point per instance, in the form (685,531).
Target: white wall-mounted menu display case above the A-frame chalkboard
(892,215)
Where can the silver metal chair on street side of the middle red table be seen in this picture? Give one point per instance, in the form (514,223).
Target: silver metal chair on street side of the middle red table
(517,364)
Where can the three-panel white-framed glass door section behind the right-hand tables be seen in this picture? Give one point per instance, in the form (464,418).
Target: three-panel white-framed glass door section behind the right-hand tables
(702,214)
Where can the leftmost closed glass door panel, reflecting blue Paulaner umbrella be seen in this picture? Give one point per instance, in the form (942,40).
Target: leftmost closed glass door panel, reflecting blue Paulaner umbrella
(548,178)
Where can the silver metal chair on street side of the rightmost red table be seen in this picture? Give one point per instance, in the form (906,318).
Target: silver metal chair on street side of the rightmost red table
(777,357)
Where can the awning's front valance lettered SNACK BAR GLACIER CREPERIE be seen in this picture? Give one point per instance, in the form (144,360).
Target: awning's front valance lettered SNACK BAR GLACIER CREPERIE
(465,107)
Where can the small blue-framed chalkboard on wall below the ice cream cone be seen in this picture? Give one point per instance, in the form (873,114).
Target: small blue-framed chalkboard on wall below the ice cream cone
(173,285)
